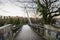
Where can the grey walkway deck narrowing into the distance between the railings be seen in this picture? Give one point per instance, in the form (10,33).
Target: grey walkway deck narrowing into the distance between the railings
(27,34)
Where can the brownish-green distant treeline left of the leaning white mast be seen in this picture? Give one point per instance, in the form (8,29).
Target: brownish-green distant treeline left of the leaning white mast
(12,20)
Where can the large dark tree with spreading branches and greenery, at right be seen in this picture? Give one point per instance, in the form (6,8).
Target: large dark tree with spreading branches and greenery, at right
(48,9)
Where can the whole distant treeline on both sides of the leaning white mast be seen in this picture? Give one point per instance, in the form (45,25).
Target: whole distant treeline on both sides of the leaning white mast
(17,20)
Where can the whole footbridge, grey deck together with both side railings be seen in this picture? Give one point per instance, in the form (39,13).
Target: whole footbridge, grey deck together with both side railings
(26,32)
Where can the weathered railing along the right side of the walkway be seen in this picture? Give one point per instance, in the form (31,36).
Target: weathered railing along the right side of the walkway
(47,31)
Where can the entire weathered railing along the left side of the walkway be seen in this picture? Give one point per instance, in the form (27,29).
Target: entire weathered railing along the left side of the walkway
(8,32)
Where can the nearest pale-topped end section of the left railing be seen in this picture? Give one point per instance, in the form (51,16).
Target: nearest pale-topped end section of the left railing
(6,32)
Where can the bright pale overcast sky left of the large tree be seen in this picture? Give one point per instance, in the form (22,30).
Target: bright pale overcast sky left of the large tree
(11,8)
